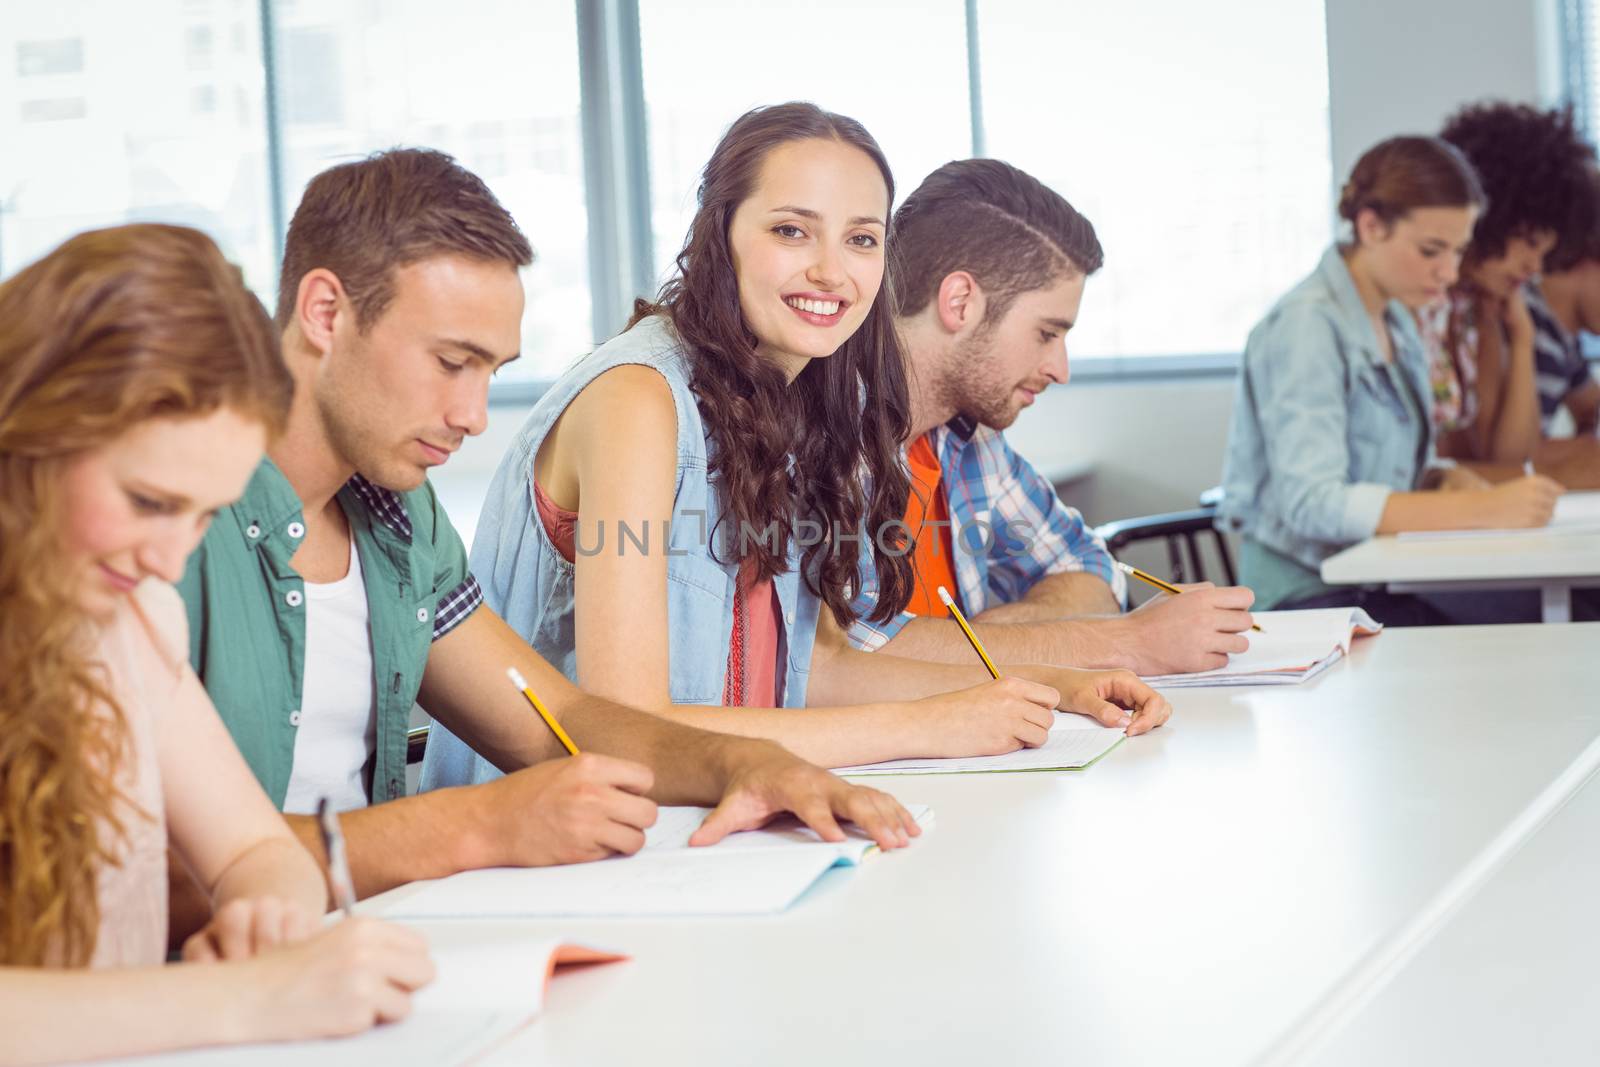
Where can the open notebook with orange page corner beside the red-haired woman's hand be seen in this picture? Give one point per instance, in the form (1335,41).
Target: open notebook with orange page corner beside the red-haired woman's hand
(489,985)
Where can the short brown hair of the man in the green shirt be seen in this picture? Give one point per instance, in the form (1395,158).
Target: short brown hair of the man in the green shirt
(367,218)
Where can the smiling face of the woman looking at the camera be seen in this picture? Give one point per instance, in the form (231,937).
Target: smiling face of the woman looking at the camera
(807,249)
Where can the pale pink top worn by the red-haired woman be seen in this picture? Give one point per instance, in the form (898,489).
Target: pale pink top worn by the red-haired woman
(145,653)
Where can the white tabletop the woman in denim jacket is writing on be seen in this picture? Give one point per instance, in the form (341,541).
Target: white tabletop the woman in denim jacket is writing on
(1521,557)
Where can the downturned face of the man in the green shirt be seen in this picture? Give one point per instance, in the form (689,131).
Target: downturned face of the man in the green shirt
(407,393)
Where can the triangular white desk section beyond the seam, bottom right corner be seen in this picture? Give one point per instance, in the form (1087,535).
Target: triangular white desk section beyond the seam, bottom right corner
(1514,977)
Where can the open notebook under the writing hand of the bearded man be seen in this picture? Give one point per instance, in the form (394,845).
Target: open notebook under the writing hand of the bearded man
(1292,647)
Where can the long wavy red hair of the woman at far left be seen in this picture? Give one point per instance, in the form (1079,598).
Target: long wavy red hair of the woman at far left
(113,329)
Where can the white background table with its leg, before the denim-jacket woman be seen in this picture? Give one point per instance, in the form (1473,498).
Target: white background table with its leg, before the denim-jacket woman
(1551,562)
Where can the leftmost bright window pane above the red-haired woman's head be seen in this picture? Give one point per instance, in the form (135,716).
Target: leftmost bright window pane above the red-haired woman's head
(95,132)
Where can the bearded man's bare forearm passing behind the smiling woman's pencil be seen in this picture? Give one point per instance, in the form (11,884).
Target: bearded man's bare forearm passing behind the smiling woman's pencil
(1063,642)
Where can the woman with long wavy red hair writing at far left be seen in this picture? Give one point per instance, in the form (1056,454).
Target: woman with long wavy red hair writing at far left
(138,386)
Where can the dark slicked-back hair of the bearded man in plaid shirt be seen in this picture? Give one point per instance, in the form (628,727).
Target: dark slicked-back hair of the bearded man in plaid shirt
(994,222)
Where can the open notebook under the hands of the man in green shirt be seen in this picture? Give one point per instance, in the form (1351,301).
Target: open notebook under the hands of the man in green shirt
(748,874)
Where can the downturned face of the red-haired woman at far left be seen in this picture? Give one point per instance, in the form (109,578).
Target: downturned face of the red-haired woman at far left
(140,505)
